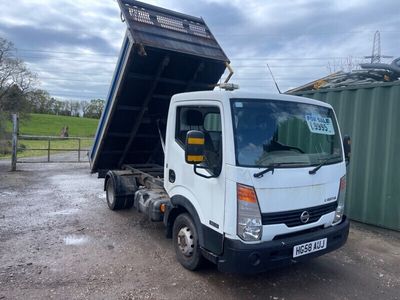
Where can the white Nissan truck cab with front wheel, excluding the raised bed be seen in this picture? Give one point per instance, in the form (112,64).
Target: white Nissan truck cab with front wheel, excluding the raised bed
(253,181)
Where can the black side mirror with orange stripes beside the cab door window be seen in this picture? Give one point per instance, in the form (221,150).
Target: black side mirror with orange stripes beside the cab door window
(194,147)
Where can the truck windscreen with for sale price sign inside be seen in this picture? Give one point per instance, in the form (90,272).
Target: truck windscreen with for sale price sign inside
(275,132)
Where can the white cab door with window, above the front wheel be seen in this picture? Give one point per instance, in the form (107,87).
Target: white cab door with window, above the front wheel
(207,195)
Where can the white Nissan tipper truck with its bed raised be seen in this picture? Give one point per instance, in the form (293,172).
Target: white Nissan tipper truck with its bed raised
(247,181)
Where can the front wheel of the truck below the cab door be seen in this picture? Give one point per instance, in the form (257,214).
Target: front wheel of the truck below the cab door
(186,242)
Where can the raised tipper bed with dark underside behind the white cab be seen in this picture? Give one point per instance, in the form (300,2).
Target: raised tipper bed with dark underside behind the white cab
(163,53)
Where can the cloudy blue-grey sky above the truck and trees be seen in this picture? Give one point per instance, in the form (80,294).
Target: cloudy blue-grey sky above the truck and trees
(73,45)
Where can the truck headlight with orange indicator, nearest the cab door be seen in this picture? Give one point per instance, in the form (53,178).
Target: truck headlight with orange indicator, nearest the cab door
(249,225)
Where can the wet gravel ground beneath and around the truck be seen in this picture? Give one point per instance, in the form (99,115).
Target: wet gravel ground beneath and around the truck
(59,240)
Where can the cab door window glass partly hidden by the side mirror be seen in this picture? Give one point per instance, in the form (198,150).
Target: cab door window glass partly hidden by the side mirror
(208,120)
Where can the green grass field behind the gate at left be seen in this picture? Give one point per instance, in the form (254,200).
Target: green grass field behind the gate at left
(51,125)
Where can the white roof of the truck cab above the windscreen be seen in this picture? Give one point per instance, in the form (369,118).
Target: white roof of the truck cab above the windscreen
(227,95)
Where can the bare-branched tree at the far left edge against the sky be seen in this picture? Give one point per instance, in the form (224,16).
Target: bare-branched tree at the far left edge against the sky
(15,79)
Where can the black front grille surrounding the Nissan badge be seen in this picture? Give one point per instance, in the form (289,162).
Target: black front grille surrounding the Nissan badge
(292,218)
